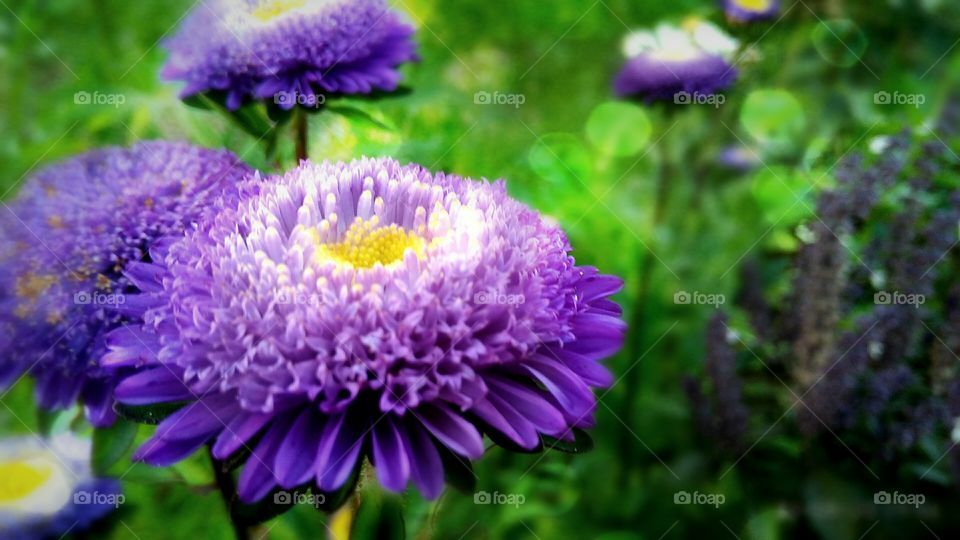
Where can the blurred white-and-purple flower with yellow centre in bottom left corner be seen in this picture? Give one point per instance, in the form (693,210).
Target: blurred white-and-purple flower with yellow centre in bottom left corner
(47,488)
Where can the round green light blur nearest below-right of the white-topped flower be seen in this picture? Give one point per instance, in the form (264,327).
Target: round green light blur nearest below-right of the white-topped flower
(773,116)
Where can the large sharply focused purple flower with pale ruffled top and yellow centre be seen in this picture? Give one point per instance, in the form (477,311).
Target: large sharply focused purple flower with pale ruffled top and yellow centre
(372,309)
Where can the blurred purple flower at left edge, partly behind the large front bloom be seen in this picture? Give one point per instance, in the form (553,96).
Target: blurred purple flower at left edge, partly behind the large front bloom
(66,239)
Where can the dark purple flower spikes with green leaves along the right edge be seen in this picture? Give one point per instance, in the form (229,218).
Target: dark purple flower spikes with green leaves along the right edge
(868,336)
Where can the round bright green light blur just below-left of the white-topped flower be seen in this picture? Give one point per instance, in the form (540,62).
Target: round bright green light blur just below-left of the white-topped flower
(618,128)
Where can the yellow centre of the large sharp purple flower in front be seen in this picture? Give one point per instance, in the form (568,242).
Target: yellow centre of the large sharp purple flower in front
(364,245)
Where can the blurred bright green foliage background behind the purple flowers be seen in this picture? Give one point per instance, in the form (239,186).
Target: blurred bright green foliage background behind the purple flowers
(638,188)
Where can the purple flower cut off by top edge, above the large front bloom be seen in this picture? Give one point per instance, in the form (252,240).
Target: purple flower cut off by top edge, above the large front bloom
(289,51)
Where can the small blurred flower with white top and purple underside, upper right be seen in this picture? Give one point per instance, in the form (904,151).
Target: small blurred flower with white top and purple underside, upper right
(663,62)
